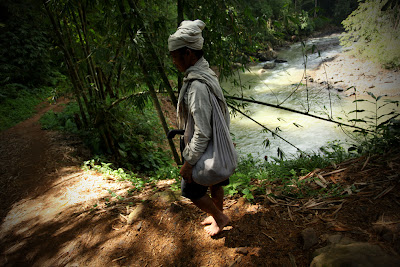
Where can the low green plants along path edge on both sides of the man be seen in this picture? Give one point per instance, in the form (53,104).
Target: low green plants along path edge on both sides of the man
(252,177)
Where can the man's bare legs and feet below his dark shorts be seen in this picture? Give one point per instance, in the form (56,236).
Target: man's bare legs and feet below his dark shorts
(206,204)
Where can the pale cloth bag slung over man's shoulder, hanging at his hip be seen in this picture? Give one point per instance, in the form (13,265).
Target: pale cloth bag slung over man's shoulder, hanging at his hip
(219,161)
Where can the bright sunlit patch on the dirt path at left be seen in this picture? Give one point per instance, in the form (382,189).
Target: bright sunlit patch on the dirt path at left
(68,191)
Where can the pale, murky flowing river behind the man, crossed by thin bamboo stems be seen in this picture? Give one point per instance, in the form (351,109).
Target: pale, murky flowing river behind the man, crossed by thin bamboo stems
(280,86)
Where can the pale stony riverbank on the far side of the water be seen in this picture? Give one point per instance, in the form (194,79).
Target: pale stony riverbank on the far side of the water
(343,71)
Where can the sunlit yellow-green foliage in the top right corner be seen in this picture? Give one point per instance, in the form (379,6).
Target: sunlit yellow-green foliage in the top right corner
(373,32)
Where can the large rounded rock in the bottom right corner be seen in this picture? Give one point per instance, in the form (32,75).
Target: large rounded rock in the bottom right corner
(353,254)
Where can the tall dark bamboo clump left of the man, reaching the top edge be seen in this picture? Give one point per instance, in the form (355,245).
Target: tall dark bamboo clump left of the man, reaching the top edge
(106,67)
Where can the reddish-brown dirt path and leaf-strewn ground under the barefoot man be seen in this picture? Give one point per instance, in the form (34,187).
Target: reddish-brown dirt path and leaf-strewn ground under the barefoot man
(55,214)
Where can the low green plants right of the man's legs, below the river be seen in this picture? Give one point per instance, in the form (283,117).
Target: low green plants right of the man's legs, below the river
(256,176)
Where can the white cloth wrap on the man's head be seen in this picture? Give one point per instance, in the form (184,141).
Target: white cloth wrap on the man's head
(188,34)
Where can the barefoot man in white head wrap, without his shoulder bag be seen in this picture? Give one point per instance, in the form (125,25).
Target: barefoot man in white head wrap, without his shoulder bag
(185,47)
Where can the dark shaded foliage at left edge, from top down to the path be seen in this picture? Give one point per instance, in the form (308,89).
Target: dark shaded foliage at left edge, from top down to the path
(26,72)
